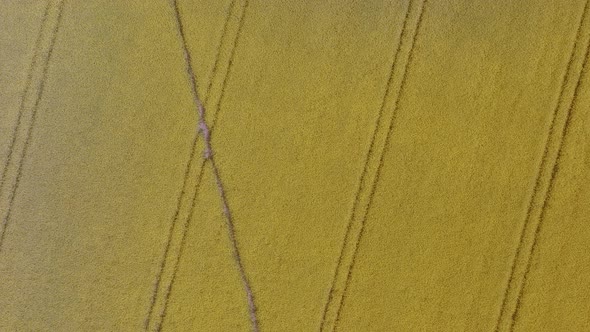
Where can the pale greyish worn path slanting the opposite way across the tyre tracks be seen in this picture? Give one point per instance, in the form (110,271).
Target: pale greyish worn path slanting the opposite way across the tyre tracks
(208,155)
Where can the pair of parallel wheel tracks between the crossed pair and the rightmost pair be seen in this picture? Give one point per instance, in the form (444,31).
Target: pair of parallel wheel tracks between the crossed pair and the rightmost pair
(380,165)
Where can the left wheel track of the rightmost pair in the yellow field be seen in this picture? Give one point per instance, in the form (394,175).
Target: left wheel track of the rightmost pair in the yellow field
(542,166)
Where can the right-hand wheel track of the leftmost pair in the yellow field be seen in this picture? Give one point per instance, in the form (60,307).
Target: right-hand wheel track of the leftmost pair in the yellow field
(32,124)
